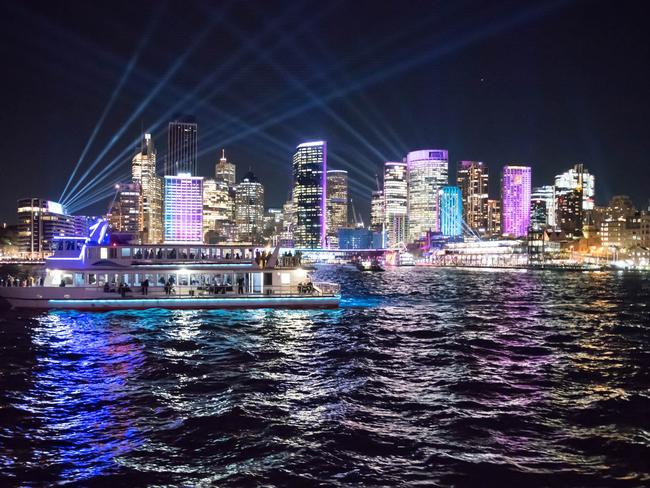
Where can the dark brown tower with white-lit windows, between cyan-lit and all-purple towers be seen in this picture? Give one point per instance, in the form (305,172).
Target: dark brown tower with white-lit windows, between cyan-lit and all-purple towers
(472,178)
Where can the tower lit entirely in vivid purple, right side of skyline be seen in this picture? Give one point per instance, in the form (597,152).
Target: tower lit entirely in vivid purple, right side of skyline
(515,200)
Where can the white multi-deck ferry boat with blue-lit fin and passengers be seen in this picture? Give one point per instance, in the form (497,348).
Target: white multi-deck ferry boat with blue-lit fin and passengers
(84,274)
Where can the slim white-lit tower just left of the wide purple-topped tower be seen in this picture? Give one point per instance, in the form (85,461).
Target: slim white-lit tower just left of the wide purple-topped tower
(395,202)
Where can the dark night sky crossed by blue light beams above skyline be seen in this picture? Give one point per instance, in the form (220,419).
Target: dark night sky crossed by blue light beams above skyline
(545,84)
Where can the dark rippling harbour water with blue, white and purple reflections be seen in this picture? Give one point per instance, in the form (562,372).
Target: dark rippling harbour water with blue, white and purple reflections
(422,377)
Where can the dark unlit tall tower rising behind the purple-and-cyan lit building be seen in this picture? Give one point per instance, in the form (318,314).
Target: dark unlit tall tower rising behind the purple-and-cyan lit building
(181,146)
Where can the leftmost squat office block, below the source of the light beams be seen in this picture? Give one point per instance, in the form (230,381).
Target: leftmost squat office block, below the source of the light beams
(39,221)
